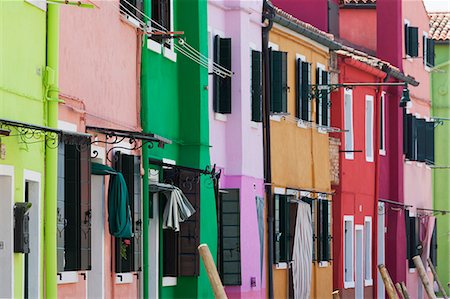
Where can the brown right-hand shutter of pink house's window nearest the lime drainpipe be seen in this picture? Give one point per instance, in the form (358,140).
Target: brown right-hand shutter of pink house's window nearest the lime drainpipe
(85,209)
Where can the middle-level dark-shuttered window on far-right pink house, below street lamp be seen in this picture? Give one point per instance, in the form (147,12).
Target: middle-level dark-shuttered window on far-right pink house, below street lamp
(418,139)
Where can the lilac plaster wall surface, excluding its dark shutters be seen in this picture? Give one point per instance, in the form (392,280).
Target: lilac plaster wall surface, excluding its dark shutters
(236,141)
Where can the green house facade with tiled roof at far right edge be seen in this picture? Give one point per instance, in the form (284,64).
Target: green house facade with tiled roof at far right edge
(439,30)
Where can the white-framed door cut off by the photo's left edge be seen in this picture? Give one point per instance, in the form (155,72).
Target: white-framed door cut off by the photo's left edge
(6,233)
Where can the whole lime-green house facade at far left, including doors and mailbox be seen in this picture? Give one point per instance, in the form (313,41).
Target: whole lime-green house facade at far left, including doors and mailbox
(23,86)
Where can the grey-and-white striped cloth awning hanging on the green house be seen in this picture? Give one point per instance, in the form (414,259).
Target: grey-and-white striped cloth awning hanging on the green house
(177,209)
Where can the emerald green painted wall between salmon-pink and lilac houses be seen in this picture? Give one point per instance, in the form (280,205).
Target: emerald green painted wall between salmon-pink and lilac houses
(175,105)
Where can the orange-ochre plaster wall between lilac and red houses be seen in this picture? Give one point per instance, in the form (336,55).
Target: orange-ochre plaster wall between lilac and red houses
(300,157)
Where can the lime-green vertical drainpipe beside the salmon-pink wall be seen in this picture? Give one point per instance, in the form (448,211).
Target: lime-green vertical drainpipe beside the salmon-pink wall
(51,154)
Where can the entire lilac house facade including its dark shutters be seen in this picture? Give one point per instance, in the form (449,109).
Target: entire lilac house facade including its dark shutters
(235,115)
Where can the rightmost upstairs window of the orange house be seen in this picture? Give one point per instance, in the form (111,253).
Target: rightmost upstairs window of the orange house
(322,98)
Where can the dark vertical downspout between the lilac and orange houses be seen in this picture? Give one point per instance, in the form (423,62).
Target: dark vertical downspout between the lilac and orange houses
(268,14)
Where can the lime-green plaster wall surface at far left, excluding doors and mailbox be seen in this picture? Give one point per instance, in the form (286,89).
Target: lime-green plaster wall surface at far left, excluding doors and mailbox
(22,61)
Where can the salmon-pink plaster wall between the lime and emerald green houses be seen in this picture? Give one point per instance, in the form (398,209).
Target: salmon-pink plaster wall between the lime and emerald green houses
(94,44)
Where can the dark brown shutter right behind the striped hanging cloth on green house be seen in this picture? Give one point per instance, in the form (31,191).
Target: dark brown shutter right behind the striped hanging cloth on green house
(190,229)
